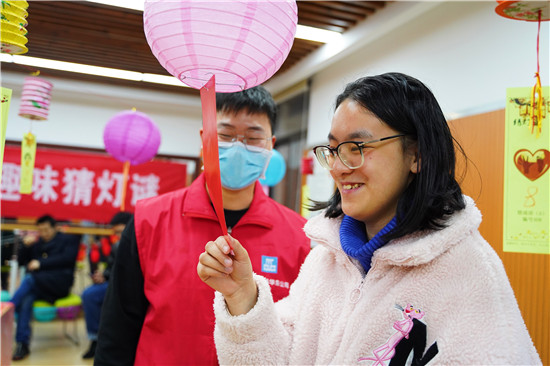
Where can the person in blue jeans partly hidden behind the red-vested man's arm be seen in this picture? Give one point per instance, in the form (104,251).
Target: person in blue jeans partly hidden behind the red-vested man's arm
(92,297)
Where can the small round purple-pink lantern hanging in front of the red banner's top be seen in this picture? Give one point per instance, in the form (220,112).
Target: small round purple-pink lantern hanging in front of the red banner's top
(131,136)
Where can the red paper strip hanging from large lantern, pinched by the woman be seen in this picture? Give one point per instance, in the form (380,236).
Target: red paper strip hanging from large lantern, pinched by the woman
(210,149)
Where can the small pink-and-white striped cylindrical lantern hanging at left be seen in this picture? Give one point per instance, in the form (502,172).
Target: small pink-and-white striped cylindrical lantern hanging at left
(35,98)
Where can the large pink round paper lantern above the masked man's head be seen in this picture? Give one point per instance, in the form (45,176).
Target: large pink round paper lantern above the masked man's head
(242,42)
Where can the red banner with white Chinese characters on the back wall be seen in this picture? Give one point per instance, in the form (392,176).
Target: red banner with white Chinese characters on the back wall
(82,186)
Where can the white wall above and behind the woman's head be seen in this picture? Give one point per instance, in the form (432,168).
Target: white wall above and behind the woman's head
(463,51)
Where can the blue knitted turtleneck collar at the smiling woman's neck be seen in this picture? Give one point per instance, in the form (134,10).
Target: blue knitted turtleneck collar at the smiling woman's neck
(355,243)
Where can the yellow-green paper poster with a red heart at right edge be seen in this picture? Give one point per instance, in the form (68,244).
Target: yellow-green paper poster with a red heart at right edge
(526,175)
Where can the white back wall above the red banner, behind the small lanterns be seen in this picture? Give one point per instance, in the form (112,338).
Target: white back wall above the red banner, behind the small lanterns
(79,112)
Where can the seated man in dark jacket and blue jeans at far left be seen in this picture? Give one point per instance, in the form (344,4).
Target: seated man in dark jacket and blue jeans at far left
(50,262)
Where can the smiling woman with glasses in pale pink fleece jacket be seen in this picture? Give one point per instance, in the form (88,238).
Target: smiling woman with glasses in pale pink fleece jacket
(401,274)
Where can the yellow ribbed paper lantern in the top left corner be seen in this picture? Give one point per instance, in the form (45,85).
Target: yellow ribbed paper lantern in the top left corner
(13,23)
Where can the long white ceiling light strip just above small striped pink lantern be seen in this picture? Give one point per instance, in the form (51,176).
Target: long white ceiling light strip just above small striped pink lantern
(91,70)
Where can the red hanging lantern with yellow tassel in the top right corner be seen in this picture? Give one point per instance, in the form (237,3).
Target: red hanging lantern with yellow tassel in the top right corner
(530,11)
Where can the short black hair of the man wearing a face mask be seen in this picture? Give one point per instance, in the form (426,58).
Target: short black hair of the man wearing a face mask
(256,100)
